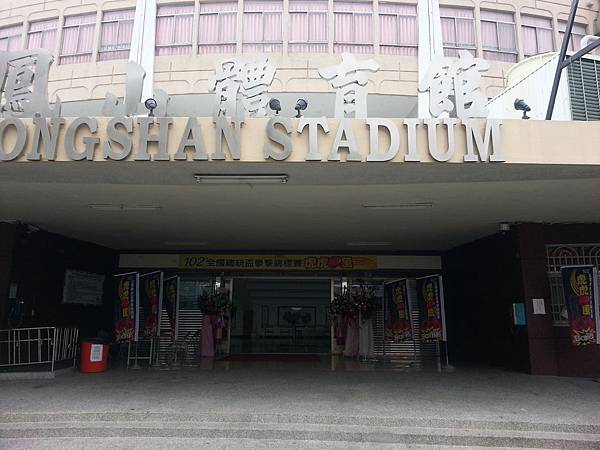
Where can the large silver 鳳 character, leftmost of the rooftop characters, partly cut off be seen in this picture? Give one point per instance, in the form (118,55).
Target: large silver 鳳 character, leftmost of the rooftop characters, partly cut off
(24,83)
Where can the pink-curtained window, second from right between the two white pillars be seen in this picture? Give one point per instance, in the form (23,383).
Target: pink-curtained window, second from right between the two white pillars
(353,27)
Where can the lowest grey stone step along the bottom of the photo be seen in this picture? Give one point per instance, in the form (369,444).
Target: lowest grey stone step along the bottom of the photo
(325,433)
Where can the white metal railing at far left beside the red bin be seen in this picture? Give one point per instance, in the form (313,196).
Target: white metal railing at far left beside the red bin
(20,347)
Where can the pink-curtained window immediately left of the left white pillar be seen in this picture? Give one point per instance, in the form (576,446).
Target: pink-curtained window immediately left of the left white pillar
(115,40)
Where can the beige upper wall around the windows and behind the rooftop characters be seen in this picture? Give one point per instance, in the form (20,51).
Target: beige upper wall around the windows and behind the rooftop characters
(189,74)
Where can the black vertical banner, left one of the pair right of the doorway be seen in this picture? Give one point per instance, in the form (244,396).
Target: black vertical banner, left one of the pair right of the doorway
(397,313)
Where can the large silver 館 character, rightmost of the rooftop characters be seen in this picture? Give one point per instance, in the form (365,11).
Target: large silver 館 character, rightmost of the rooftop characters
(461,76)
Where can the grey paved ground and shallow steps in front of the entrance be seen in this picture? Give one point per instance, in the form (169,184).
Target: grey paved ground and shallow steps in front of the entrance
(297,405)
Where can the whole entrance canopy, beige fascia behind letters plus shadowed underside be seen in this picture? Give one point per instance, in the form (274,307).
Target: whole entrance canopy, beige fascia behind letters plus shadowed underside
(550,174)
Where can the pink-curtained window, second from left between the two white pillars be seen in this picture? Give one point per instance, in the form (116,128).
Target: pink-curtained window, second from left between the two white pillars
(217,27)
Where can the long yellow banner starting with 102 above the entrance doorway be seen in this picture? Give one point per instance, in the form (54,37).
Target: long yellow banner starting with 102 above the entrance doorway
(277,262)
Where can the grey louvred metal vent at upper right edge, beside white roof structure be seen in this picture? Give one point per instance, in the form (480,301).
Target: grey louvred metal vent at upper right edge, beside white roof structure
(584,89)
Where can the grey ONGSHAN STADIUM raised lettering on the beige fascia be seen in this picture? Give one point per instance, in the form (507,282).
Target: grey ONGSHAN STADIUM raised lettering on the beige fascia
(153,139)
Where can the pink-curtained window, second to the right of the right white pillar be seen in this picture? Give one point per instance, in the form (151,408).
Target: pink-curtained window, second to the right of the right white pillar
(498,36)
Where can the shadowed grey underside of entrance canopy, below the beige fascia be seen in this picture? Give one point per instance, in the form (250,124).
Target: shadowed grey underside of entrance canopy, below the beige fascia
(132,206)
